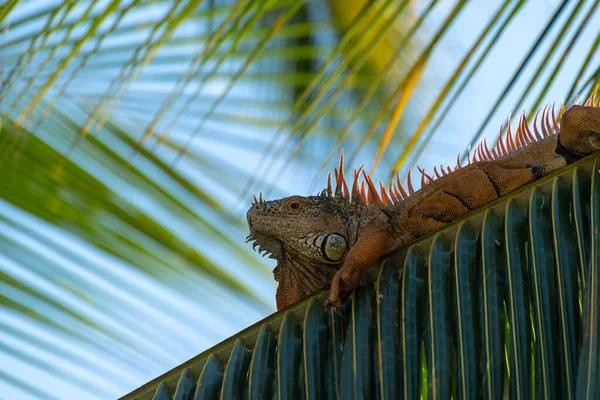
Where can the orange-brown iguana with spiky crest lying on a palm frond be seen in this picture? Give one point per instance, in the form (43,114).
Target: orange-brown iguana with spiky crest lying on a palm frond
(335,237)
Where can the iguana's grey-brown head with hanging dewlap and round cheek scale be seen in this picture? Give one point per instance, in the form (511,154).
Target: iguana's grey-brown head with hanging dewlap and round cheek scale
(310,236)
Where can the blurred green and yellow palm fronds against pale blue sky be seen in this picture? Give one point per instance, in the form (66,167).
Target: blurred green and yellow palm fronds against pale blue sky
(133,134)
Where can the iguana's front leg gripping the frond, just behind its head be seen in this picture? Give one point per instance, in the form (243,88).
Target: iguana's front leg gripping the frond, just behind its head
(374,242)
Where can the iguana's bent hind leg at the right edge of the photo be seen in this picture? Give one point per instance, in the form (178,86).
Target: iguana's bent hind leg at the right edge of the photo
(580,130)
